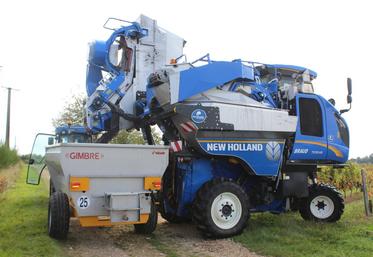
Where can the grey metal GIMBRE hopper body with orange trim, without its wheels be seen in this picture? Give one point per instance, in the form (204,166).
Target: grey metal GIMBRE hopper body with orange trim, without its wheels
(106,183)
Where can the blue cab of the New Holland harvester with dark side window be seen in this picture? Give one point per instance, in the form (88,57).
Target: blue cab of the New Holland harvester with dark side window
(322,135)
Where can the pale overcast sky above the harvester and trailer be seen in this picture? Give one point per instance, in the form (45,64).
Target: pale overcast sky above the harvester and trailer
(44,48)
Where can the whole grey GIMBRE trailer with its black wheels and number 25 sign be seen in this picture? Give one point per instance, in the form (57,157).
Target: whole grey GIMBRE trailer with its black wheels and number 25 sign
(89,182)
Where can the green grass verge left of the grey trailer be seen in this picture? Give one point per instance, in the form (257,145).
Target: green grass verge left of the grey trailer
(23,221)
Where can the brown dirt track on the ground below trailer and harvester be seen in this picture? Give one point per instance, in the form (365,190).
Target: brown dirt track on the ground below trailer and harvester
(167,240)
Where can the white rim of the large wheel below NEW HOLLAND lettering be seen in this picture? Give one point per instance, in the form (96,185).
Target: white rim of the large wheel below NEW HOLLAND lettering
(226,210)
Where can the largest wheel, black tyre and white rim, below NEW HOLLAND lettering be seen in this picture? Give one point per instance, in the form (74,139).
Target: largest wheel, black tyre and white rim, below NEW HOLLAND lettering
(221,208)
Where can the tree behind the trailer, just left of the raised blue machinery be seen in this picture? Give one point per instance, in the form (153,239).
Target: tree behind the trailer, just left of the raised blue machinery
(73,112)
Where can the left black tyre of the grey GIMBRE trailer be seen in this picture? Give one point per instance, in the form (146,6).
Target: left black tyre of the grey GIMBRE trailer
(58,215)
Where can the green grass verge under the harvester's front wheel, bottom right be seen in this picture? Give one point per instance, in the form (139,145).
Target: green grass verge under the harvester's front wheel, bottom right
(288,235)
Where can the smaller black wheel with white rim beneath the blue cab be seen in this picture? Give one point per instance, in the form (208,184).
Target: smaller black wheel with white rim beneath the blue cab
(324,204)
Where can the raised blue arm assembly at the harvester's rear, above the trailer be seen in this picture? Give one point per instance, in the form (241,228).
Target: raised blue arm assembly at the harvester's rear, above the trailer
(109,66)
